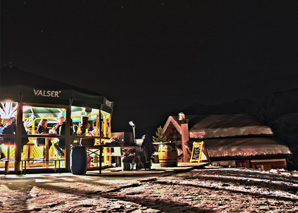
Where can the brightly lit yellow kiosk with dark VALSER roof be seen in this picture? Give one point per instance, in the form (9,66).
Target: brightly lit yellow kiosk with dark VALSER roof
(30,98)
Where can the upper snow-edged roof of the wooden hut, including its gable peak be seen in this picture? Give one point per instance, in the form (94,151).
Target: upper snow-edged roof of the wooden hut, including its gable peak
(220,126)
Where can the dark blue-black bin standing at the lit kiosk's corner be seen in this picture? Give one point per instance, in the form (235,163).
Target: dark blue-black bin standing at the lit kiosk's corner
(78,160)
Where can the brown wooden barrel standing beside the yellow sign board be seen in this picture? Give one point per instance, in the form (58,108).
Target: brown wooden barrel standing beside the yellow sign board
(167,154)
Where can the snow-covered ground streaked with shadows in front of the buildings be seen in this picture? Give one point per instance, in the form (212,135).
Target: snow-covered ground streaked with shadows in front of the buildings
(198,190)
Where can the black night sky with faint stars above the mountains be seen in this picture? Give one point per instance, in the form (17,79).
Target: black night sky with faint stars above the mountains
(155,57)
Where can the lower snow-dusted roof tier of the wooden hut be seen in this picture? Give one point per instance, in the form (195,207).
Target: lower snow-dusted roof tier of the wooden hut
(245,147)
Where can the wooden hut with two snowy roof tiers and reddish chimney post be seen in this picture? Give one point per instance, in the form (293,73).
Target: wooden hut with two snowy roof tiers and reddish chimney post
(230,139)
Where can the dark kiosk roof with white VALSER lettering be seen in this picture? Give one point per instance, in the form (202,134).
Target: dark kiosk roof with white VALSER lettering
(17,85)
